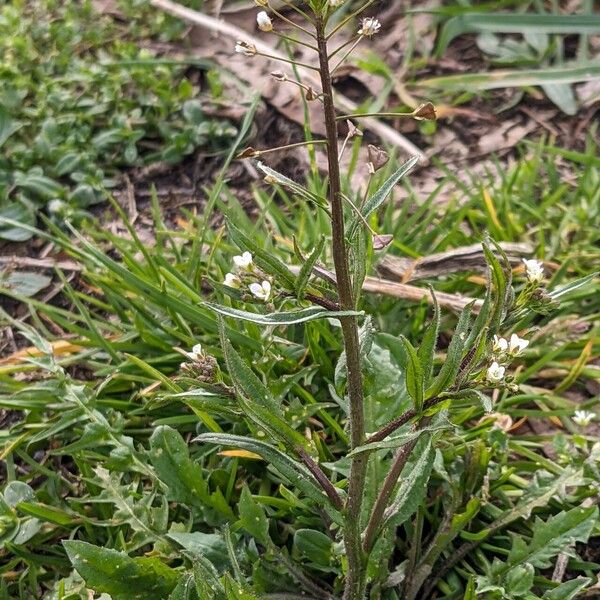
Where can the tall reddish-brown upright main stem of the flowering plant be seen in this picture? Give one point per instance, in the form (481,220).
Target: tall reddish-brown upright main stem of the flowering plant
(355,579)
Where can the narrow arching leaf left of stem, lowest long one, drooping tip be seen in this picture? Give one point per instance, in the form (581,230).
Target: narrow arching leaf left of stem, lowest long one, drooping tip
(295,472)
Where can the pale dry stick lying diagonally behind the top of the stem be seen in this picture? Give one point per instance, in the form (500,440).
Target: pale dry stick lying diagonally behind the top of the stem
(236,33)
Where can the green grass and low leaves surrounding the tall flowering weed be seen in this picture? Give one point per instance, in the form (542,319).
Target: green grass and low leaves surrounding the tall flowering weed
(82,462)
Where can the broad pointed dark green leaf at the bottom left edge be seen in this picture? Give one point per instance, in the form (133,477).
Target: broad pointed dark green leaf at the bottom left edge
(115,573)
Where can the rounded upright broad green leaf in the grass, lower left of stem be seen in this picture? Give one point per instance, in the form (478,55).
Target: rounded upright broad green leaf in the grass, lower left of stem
(181,475)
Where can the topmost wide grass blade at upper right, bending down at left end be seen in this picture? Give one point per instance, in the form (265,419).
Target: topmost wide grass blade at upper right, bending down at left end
(516,23)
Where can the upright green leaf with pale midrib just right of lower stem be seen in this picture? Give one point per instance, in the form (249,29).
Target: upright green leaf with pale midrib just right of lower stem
(413,483)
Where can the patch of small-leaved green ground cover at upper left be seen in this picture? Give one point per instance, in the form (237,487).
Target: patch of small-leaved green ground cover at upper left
(81,101)
